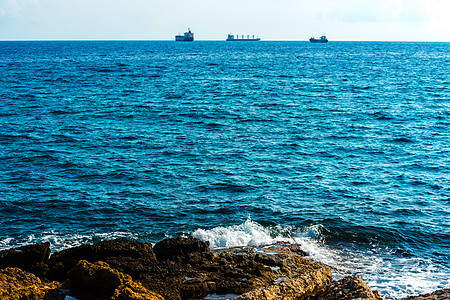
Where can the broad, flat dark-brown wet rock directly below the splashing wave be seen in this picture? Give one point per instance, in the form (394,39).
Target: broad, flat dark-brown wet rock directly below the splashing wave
(234,271)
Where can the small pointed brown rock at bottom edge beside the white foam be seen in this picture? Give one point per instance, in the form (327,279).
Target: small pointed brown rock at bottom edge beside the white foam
(349,287)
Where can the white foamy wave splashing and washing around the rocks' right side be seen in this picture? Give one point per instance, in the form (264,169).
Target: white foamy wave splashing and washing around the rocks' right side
(383,269)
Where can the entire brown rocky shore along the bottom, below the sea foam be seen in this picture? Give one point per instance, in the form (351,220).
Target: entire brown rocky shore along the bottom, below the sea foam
(179,268)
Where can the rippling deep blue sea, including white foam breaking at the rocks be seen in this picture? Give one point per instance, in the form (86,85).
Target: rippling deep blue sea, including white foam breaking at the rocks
(343,148)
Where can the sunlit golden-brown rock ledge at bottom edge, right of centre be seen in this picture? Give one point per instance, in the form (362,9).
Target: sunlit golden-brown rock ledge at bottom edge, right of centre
(297,288)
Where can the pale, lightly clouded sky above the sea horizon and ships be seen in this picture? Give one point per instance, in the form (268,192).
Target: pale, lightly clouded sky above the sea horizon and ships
(340,20)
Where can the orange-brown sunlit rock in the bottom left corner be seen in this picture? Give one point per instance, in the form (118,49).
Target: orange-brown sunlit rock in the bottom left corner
(16,284)
